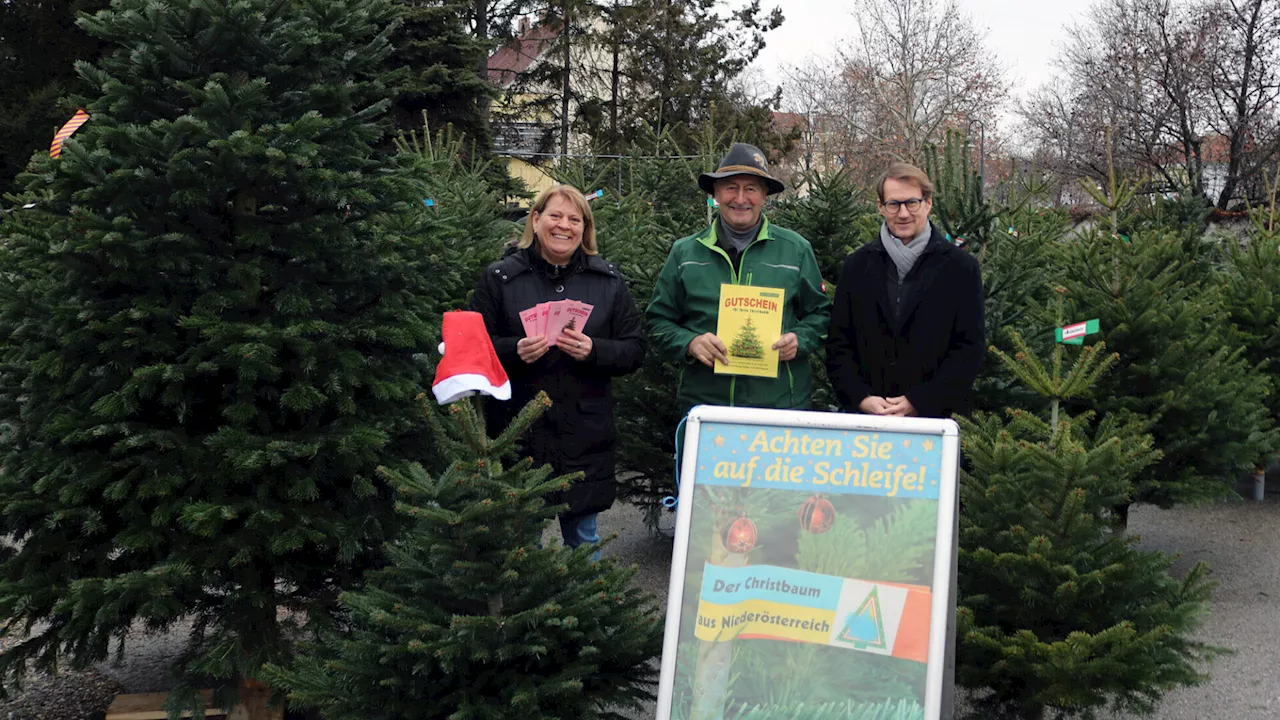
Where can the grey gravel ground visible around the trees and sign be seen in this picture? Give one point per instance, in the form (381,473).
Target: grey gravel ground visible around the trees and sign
(1241,541)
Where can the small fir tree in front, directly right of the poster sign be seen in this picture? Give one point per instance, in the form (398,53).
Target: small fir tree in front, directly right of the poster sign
(1059,616)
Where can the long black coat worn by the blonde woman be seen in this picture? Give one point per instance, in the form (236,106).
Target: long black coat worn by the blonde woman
(578,432)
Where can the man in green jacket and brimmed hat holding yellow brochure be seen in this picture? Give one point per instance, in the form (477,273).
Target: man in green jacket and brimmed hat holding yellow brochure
(740,248)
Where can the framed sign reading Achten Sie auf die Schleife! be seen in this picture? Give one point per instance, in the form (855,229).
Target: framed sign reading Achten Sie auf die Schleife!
(812,568)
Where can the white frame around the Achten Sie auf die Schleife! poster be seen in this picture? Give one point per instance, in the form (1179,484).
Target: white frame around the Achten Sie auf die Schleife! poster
(941,604)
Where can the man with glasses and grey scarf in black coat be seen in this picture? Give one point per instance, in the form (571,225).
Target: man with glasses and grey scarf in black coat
(907,327)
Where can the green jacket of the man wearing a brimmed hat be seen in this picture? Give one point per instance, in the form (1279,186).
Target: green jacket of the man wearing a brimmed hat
(687,300)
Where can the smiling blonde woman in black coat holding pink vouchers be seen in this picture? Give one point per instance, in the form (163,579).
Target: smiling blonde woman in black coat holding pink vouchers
(556,259)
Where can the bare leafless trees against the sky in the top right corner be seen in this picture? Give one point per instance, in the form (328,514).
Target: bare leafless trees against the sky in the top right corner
(1187,89)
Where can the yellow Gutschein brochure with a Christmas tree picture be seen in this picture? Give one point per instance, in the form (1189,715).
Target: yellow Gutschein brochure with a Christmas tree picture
(751,322)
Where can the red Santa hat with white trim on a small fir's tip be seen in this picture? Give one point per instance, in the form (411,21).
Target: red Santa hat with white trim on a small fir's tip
(470,364)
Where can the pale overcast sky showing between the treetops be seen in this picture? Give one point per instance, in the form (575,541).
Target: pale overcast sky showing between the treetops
(1025,34)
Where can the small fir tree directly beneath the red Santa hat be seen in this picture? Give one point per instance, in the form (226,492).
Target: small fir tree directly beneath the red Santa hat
(473,619)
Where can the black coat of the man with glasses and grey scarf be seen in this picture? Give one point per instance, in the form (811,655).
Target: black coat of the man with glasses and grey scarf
(931,352)
